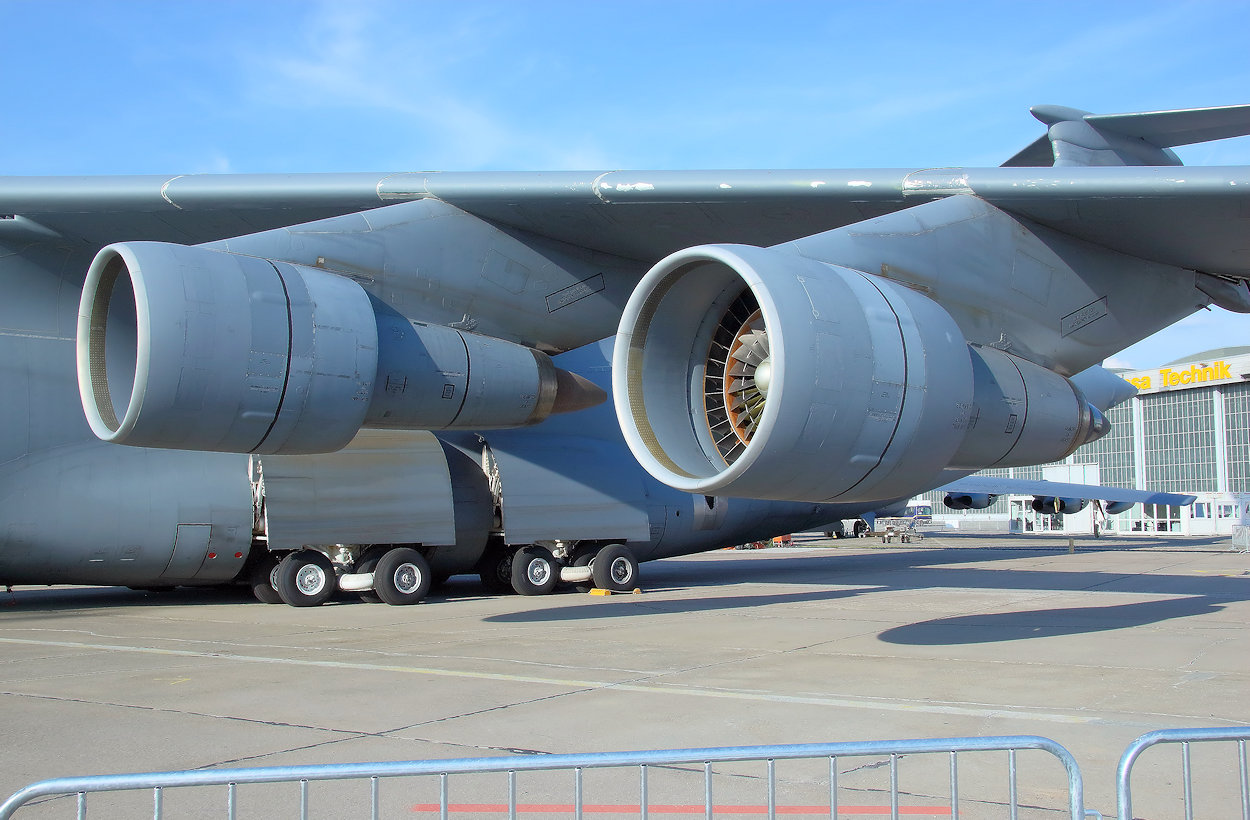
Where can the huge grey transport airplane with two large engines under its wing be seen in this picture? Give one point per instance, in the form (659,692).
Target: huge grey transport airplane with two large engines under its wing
(372,382)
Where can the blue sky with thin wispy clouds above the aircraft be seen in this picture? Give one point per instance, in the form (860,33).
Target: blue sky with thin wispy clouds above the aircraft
(277,86)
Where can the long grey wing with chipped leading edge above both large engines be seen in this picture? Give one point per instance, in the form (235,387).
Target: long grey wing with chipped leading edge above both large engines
(1191,218)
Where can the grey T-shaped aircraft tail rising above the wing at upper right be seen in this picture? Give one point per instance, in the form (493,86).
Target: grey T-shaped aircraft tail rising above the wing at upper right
(1081,138)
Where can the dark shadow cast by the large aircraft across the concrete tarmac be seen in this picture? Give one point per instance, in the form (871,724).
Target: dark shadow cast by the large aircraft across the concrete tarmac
(826,577)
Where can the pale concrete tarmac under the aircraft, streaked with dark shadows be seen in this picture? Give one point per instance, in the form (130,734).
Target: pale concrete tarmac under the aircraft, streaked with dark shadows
(823,642)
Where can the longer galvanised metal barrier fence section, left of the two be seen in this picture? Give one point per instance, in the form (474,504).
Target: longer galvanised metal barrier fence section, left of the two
(577,766)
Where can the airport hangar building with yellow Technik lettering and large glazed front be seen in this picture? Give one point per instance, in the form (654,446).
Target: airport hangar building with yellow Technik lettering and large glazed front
(1188,431)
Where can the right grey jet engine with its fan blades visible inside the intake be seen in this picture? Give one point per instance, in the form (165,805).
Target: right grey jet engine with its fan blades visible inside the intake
(759,373)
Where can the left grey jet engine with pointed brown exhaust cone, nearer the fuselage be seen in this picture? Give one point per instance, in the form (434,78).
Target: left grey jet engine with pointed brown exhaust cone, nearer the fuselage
(198,349)
